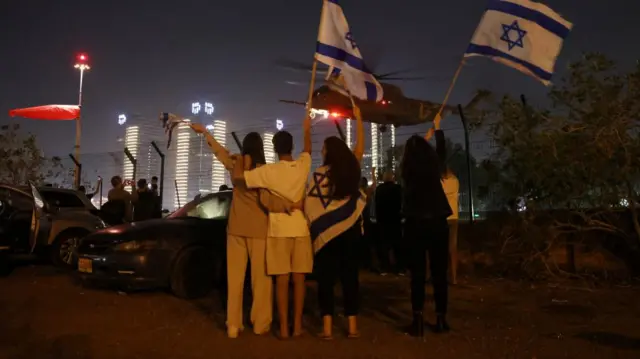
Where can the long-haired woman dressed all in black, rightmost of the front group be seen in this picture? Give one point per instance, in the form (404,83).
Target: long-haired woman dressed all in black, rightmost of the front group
(426,210)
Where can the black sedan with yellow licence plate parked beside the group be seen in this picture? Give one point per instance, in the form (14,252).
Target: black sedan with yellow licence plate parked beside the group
(185,252)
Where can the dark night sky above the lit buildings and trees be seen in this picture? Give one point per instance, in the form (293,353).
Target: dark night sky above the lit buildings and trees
(152,56)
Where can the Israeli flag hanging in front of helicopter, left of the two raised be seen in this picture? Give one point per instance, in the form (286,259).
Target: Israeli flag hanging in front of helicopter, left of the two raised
(337,48)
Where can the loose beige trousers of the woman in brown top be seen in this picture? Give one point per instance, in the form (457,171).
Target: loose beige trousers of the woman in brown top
(239,250)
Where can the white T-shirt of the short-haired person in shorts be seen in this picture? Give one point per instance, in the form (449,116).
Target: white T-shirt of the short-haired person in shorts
(287,179)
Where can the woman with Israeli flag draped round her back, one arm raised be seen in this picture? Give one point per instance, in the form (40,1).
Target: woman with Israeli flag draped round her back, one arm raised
(334,206)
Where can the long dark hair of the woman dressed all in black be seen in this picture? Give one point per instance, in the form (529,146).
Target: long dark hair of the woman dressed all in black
(420,163)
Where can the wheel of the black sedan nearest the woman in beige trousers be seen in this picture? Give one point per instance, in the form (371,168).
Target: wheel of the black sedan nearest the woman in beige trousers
(193,273)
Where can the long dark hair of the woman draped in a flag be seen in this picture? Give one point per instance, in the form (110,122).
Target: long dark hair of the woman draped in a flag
(344,169)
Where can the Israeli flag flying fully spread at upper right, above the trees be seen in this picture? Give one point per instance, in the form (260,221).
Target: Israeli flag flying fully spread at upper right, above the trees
(523,34)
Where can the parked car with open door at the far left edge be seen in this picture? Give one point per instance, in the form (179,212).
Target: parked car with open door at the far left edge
(45,220)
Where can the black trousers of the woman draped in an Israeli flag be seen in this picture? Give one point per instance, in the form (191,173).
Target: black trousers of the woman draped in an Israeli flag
(338,259)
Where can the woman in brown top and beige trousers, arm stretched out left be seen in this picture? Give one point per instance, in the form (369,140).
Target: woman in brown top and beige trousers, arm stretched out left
(246,237)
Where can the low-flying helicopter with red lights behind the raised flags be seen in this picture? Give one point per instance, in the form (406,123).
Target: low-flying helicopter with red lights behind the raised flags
(394,109)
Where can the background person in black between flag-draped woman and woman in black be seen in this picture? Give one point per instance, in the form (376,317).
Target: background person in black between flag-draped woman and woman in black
(388,207)
